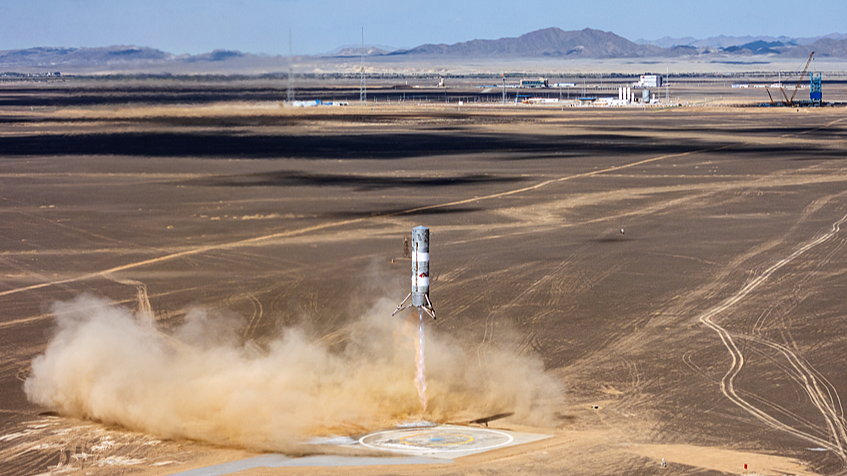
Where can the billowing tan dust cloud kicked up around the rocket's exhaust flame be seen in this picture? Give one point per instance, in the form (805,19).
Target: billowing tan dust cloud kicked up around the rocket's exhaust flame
(201,381)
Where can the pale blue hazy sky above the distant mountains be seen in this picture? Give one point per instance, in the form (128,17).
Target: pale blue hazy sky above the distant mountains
(318,26)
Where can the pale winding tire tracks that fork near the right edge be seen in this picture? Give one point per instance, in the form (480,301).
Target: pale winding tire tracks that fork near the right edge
(820,398)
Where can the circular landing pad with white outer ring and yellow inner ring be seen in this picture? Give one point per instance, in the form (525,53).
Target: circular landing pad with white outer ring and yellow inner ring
(444,440)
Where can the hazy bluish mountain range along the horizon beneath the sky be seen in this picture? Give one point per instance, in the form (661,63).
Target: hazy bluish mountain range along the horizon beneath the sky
(546,43)
